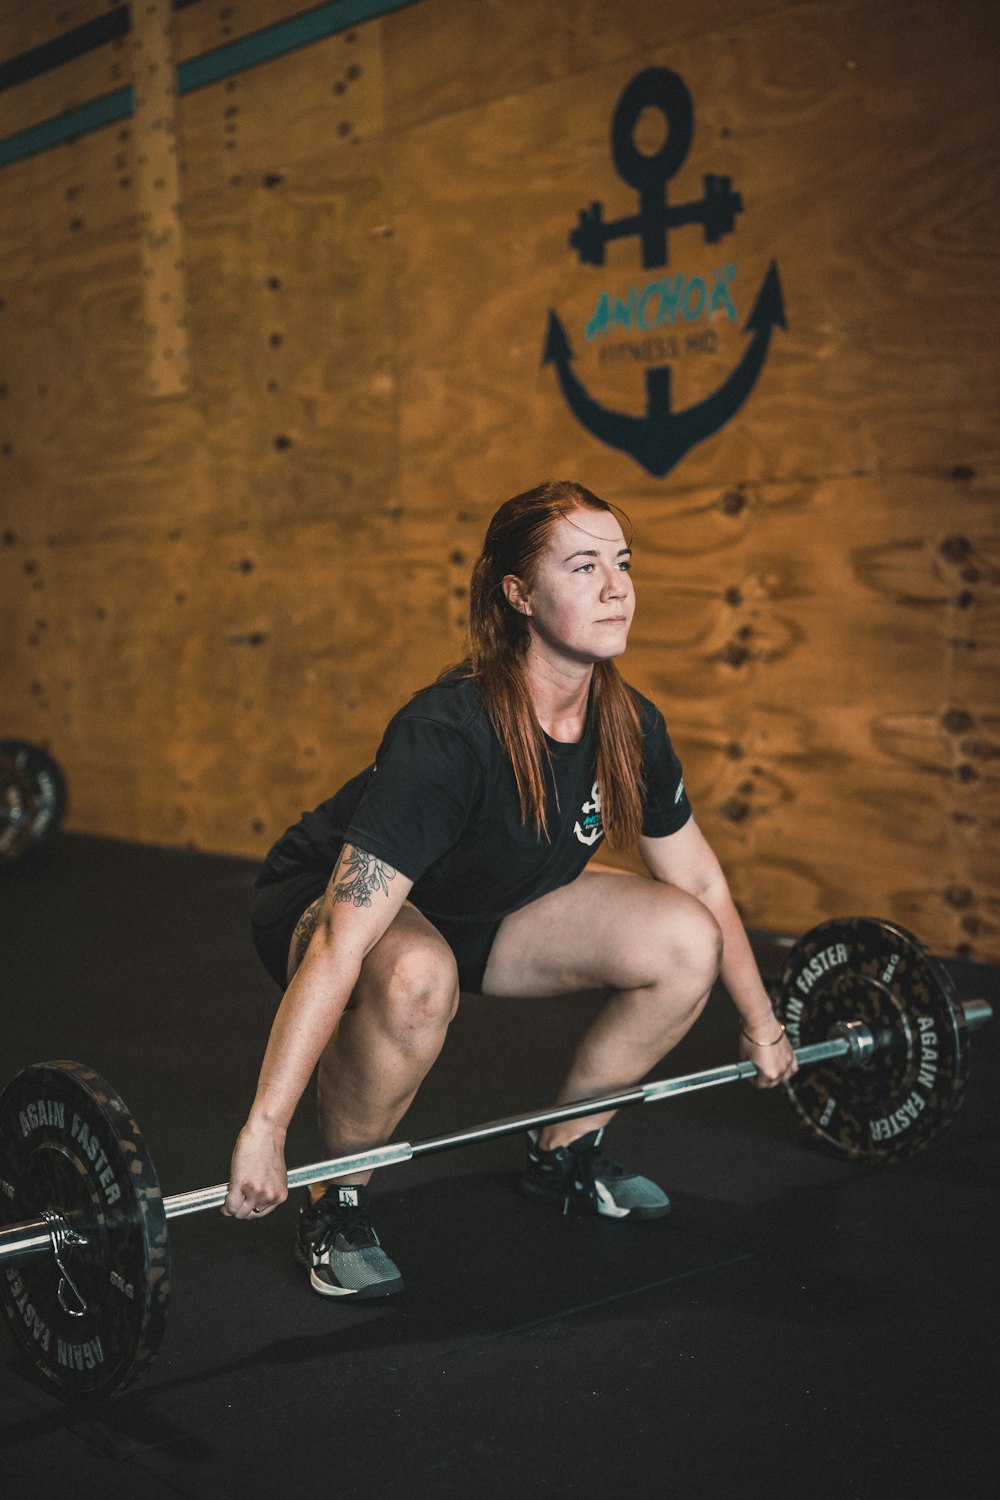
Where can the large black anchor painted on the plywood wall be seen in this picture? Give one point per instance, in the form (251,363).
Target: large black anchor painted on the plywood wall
(660,439)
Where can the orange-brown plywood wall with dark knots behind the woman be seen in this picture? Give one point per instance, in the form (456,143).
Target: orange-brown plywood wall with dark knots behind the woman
(242,481)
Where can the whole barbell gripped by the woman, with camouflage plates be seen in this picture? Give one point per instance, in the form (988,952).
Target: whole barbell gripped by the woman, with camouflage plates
(879,1034)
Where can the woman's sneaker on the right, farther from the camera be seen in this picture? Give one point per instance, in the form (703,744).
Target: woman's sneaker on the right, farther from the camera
(579,1180)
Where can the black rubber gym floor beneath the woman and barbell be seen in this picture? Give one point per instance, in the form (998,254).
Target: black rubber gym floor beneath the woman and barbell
(797,1327)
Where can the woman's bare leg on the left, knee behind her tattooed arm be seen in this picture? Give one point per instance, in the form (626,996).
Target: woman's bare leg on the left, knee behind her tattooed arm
(388,1039)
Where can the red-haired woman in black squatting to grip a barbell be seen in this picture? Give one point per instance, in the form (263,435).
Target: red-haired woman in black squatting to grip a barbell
(461,862)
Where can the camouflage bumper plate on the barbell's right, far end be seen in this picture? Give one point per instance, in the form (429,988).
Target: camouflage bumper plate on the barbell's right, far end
(908,1094)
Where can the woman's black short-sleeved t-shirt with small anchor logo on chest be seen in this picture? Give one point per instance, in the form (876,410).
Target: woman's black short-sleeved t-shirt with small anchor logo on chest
(442,806)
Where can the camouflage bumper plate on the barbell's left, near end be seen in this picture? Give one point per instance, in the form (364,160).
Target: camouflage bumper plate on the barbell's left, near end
(70,1145)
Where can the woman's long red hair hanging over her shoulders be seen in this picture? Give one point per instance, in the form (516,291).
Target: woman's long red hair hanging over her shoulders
(515,542)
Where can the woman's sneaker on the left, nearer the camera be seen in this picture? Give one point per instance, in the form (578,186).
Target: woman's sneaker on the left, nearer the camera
(341,1250)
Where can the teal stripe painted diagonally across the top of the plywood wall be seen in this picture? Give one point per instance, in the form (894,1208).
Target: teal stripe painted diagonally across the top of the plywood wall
(223,62)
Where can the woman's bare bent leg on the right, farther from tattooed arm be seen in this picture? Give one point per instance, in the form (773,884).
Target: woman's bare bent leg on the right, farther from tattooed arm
(656,949)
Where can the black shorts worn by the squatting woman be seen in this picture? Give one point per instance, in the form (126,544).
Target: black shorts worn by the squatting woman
(278,907)
